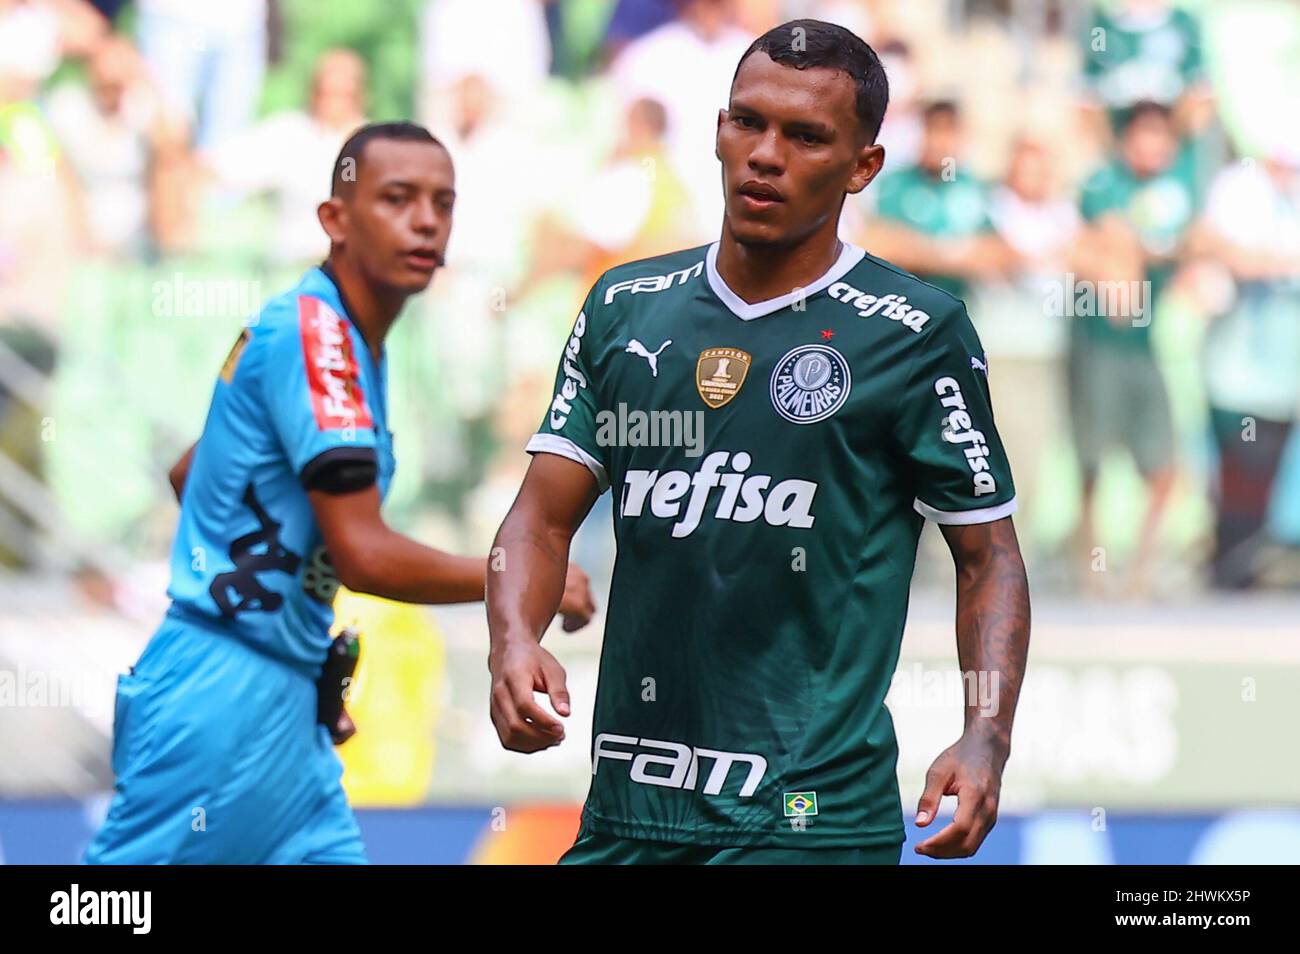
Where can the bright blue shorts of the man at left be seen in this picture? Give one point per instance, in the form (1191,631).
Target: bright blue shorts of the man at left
(220,761)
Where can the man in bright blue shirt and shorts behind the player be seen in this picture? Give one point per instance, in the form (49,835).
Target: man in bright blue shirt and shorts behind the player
(218,752)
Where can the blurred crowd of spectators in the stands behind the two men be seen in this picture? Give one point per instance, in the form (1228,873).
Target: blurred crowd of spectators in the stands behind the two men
(1113,192)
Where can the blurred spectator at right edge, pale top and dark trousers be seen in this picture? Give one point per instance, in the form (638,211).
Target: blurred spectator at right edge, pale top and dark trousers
(1253,350)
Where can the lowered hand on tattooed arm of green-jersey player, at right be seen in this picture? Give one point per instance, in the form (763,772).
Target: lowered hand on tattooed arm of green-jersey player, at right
(970,769)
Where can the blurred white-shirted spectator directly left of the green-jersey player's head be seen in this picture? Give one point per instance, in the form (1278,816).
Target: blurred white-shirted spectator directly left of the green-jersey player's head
(688,67)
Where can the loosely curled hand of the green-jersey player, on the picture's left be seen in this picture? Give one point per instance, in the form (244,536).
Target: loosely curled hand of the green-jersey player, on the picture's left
(518,671)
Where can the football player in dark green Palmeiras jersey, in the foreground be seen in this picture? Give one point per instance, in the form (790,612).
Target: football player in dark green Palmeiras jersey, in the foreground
(777,417)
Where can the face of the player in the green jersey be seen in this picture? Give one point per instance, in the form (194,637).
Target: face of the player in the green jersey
(791,149)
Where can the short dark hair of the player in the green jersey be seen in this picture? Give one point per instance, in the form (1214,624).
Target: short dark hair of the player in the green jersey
(804,44)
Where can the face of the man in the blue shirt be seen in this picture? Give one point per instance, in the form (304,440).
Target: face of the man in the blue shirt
(398,218)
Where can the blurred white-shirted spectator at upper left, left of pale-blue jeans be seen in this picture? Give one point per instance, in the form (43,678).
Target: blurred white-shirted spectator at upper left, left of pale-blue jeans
(109,132)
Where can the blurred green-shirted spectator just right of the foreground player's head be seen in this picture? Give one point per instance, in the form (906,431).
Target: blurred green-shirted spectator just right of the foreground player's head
(933,218)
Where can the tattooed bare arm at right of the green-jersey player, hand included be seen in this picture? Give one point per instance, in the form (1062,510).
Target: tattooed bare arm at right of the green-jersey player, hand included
(993,648)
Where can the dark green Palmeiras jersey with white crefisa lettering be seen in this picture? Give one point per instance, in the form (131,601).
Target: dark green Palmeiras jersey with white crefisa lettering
(772,467)
